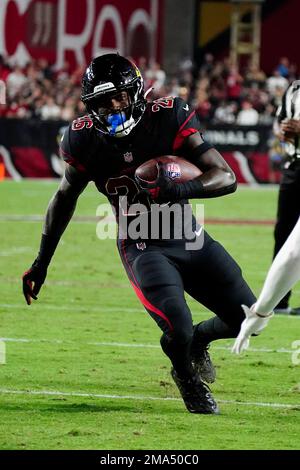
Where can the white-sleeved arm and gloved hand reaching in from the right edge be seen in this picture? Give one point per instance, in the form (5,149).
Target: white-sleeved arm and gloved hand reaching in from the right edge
(283,274)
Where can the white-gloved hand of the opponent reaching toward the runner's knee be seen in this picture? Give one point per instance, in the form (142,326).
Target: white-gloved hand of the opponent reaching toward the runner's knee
(254,323)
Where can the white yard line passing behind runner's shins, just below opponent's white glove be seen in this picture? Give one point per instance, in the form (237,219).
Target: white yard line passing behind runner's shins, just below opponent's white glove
(130,345)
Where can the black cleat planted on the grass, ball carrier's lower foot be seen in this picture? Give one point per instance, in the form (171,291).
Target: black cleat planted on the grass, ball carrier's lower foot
(195,394)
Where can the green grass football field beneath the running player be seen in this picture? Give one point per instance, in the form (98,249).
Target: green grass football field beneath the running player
(83,365)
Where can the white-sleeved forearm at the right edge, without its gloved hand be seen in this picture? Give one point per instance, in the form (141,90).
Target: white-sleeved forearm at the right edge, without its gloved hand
(283,274)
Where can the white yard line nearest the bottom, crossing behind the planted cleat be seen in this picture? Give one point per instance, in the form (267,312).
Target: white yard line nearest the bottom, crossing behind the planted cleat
(137,397)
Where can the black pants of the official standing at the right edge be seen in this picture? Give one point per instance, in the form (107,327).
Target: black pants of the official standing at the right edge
(288,212)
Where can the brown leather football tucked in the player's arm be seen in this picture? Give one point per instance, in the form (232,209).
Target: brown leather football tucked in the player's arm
(176,168)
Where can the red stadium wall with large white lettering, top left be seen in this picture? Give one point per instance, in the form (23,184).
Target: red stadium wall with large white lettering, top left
(65,30)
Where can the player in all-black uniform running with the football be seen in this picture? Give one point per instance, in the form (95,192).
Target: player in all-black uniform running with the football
(120,132)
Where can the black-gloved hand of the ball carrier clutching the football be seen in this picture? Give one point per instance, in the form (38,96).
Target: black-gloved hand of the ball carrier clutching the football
(163,189)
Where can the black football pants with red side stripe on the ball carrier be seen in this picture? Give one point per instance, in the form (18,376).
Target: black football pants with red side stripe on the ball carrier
(161,272)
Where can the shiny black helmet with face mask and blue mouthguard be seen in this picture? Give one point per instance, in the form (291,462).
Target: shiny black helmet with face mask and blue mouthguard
(113,93)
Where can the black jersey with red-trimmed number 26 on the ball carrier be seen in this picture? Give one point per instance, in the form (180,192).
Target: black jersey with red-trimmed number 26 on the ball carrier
(111,162)
